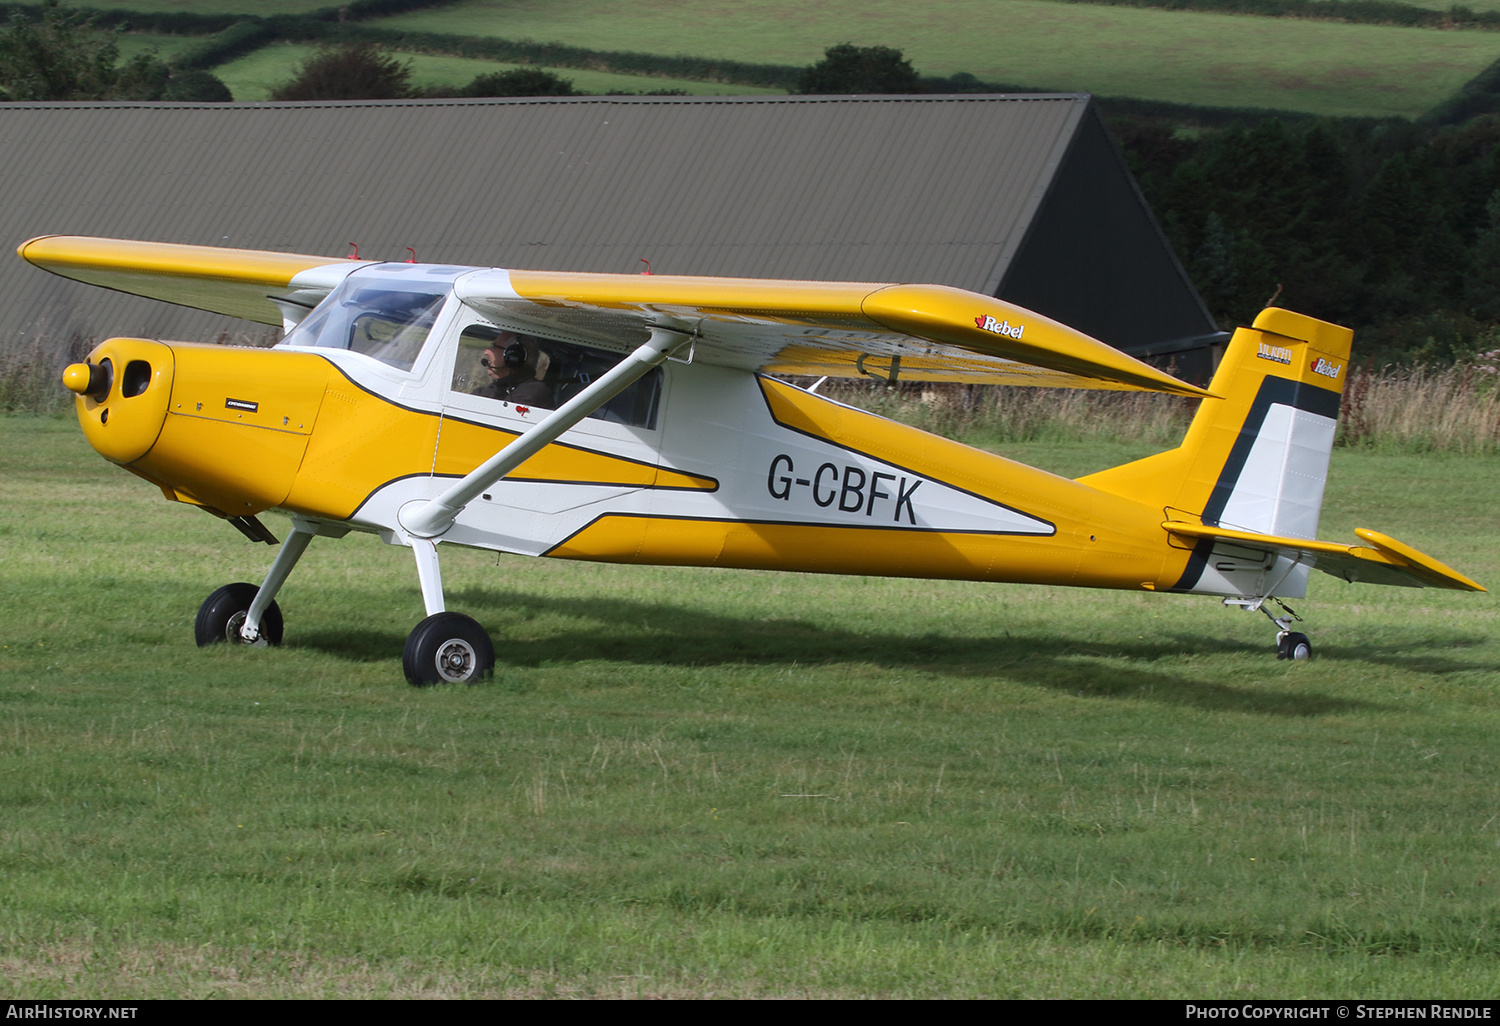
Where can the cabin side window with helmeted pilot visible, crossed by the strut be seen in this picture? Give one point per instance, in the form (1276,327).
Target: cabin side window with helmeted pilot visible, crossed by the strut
(536,373)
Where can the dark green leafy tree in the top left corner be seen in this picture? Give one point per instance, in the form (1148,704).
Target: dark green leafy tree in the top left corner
(64,58)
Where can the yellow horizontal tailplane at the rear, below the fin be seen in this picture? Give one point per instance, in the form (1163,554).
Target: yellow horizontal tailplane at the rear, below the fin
(1387,562)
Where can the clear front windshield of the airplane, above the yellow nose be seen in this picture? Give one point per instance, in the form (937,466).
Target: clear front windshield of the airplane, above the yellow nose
(385,313)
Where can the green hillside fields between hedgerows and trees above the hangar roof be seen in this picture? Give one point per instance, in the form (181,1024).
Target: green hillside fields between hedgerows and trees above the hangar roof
(1175,56)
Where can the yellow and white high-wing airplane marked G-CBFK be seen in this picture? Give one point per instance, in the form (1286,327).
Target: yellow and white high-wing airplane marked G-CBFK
(644,419)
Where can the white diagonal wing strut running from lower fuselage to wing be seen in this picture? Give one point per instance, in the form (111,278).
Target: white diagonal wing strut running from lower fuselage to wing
(433,518)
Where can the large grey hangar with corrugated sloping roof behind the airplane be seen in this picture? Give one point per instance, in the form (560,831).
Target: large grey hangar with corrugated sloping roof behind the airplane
(1024,197)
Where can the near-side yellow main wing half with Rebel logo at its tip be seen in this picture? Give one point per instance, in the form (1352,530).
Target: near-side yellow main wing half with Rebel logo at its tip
(838,329)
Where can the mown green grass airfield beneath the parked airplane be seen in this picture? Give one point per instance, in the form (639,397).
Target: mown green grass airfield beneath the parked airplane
(694,784)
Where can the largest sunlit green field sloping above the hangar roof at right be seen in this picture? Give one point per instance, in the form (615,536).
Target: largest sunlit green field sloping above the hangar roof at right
(1157,55)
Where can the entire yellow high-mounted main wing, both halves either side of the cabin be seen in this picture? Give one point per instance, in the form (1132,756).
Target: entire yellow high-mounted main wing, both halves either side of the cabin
(838,329)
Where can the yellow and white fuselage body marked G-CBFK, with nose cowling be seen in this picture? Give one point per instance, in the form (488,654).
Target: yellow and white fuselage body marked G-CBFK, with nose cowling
(730,469)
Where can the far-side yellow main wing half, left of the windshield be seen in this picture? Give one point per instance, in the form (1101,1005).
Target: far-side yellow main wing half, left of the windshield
(241,283)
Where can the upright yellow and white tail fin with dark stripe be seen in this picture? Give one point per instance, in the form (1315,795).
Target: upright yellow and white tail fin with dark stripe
(1258,458)
